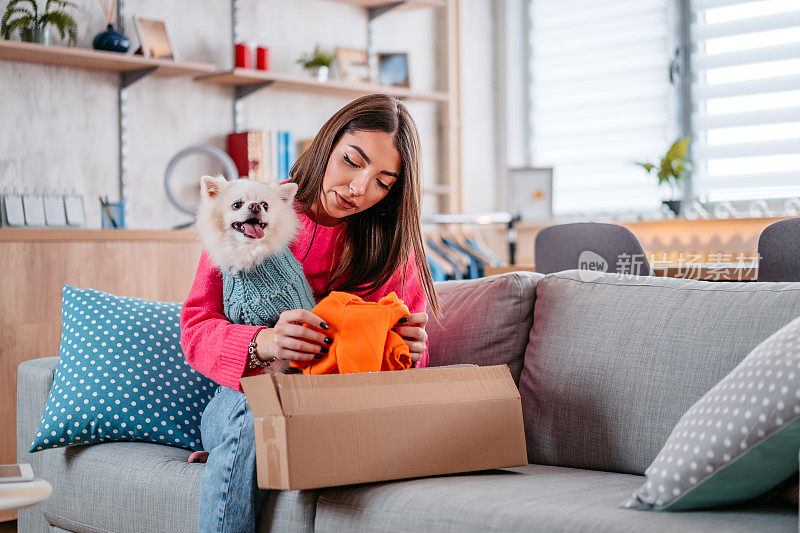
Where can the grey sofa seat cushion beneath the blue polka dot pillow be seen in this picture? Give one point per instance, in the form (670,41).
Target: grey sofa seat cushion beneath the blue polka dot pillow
(121,486)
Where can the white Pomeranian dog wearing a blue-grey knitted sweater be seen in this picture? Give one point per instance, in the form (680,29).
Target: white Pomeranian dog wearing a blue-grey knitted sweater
(246,227)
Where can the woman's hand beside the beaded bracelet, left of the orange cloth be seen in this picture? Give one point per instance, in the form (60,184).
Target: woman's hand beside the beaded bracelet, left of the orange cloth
(291,340)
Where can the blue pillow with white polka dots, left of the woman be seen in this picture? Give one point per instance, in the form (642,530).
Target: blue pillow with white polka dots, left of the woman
(121,375)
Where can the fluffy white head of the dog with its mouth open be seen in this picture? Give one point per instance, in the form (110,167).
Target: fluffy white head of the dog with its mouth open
(244,221)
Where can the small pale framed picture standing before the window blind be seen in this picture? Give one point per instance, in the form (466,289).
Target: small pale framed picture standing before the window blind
(530,193)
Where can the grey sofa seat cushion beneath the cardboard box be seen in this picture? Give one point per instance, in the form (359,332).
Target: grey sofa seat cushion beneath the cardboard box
(529,498)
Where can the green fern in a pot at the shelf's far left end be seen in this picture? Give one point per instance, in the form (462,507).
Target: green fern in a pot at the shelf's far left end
(33,20)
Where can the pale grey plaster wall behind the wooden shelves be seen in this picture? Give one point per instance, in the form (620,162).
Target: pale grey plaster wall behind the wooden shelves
(61,124)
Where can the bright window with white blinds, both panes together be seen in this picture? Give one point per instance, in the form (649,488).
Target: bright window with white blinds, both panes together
(601,99)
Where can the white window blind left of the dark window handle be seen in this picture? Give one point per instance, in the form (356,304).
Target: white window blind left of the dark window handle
(601,100)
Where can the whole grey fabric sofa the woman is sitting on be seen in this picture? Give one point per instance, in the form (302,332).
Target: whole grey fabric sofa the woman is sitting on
(605,368)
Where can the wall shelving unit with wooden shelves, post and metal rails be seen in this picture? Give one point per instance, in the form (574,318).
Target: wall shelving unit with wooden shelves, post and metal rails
(132,68)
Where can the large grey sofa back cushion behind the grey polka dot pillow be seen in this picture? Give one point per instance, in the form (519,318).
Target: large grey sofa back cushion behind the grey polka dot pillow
(613,363)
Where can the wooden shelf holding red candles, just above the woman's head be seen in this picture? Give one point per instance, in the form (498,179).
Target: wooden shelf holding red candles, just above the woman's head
(256,79)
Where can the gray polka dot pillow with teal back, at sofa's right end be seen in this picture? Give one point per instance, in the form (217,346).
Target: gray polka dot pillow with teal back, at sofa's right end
(739,440)
